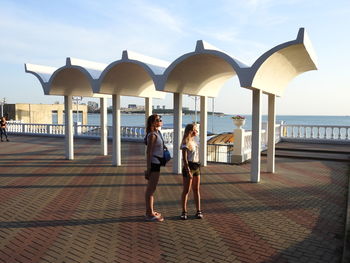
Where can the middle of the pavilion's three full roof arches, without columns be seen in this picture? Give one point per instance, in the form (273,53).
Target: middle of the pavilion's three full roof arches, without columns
(133,75)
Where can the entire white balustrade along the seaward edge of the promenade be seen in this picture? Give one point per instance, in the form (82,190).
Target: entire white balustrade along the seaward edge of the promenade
(284,132)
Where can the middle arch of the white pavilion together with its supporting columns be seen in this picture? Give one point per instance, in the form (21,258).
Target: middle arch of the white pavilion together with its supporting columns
(134,75)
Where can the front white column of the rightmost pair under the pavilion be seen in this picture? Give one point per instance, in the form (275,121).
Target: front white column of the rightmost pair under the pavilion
(256,137)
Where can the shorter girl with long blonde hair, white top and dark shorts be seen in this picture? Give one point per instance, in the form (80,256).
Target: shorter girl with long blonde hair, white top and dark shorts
(190,170)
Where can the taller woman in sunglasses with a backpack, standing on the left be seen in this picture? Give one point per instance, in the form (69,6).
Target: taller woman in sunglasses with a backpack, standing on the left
(154,150)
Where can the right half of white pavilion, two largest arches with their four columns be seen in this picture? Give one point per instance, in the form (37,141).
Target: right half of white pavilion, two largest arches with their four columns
(204,71)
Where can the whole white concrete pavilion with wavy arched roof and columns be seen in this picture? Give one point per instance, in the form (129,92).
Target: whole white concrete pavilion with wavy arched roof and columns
(201,73)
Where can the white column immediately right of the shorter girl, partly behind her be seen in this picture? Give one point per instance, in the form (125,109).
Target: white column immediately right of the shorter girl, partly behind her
(203,131)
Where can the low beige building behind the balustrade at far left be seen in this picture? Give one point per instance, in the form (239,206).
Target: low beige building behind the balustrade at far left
(42,113)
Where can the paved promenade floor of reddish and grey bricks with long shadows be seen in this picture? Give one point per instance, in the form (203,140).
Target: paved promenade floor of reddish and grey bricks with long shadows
(85,210)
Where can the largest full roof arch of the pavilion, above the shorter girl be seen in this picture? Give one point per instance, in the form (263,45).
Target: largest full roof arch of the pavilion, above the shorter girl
(202,72)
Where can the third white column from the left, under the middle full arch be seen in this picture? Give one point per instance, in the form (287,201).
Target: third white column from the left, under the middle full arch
(116,152)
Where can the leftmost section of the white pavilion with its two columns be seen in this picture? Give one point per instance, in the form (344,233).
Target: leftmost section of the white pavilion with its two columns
(76,78)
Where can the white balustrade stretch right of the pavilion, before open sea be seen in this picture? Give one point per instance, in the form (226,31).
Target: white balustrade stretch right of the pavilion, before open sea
(316,133)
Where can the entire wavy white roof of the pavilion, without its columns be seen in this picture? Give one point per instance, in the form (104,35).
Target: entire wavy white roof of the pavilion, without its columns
(202,72)
